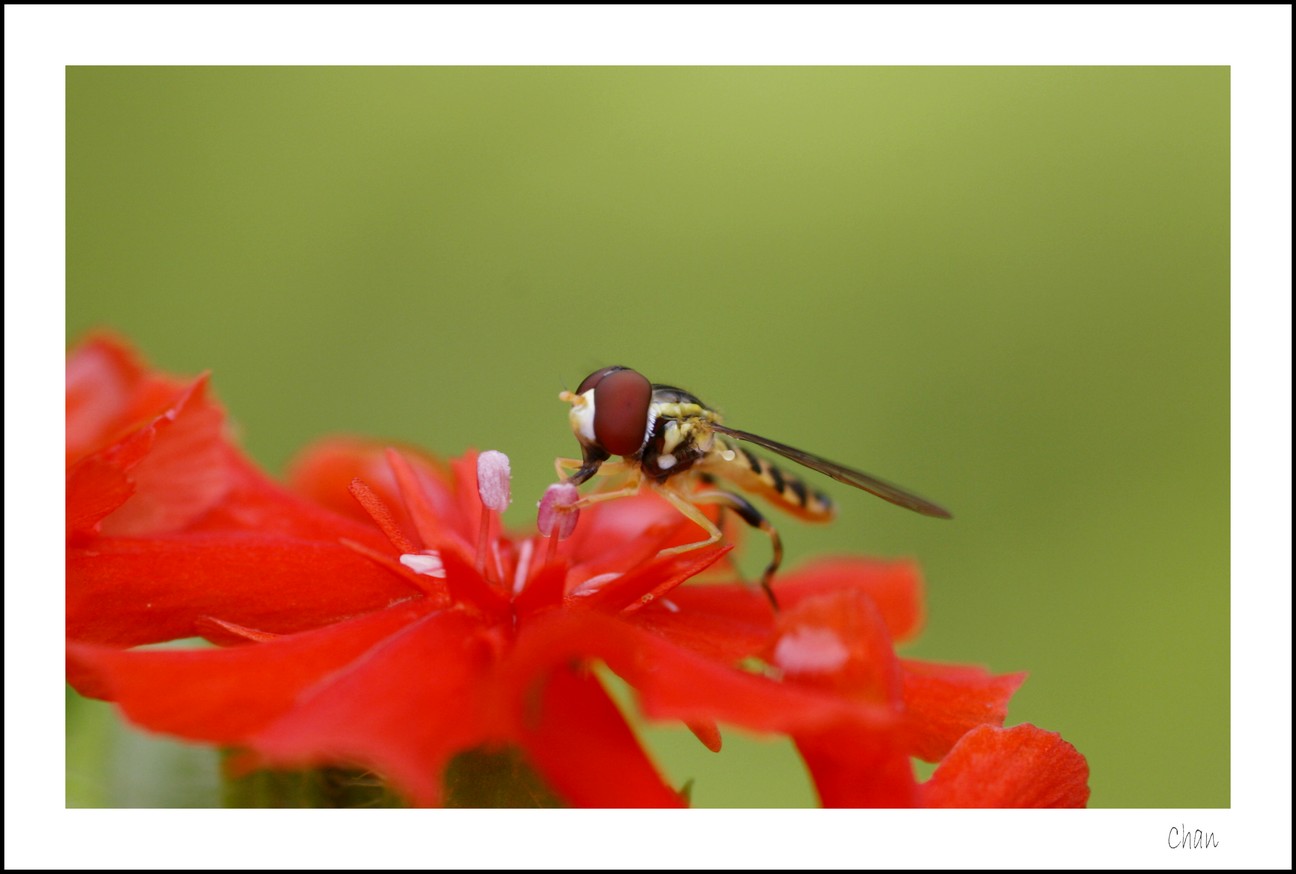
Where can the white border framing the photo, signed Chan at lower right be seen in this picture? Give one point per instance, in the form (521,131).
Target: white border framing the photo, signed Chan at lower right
(1255,41)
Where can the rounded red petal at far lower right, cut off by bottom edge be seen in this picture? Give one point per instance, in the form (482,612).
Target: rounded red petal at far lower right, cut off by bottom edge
(1022,767)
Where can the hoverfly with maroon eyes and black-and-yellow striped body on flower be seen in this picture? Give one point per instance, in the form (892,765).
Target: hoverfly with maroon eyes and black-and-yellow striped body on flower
(668,439)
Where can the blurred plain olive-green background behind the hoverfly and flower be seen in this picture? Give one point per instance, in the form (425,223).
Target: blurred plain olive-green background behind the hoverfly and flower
(1006,289)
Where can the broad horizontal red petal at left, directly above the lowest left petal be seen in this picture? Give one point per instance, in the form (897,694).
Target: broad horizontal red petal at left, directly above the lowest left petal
(129,592)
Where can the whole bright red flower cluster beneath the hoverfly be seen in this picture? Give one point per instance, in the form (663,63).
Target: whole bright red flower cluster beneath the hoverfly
(374,617)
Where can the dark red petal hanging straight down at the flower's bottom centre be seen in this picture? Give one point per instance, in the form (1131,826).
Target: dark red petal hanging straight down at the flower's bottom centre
(585,750)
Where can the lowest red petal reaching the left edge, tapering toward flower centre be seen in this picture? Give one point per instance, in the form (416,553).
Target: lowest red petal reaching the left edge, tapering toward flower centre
(225,696)
